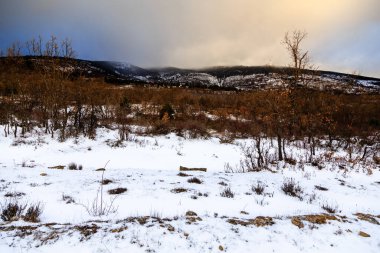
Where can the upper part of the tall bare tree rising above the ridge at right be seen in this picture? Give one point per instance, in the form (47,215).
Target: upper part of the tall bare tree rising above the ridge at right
(300,58)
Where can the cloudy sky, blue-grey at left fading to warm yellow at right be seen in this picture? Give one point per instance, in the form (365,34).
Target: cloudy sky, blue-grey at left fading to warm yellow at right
(343,35)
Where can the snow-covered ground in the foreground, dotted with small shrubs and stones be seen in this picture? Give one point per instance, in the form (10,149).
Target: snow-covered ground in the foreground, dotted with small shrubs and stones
(153,214)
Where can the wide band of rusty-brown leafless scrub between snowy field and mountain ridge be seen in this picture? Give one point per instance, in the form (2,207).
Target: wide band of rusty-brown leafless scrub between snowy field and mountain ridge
(31,99)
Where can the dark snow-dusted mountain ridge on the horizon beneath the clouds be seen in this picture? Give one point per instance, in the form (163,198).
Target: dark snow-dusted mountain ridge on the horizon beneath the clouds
(224,77)
